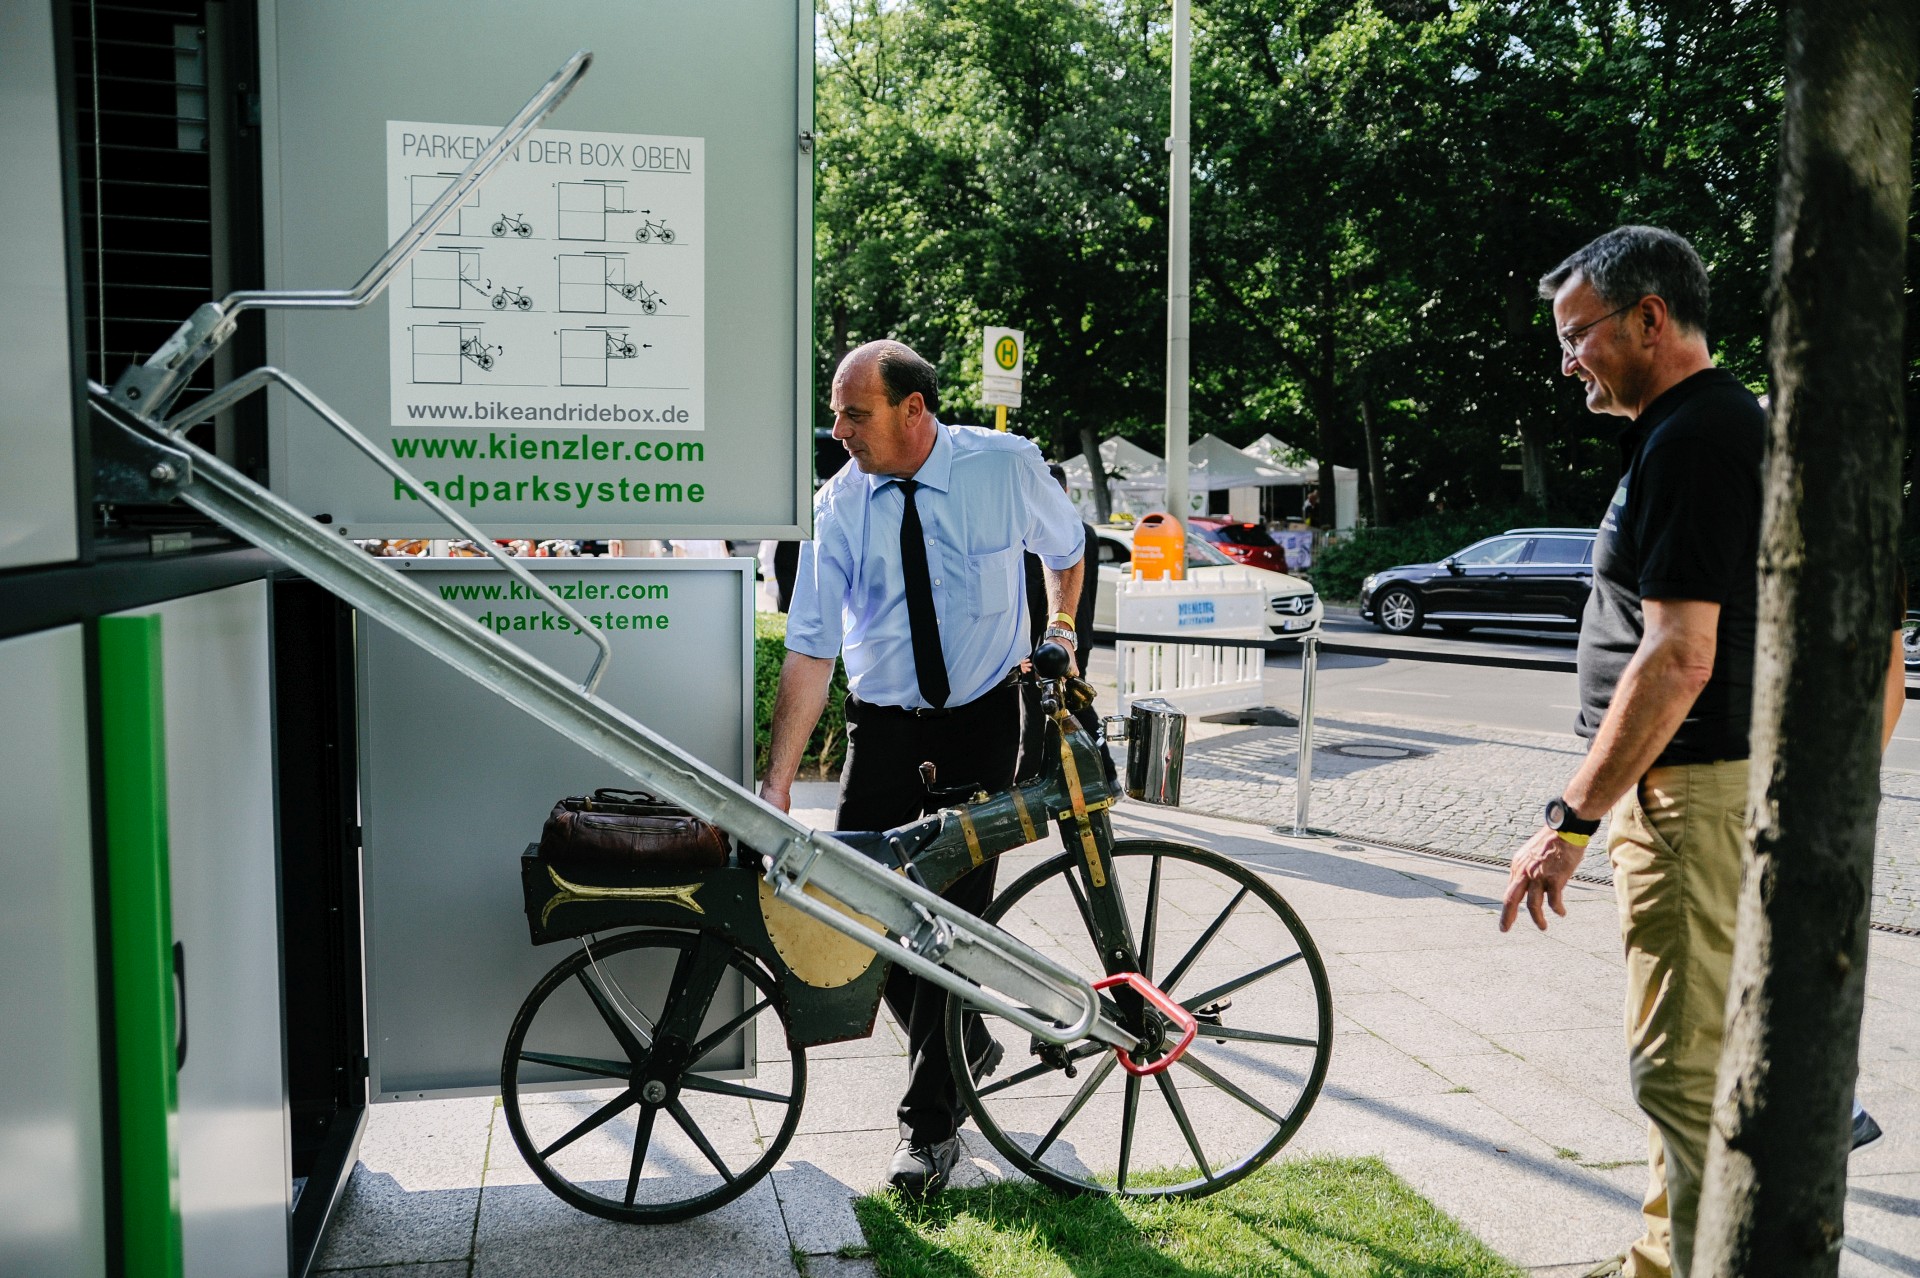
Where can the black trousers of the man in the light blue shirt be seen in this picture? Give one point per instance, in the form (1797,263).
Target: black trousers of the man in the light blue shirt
(880,788)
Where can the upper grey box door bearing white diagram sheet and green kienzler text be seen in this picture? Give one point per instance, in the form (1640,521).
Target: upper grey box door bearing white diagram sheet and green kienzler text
(615,337)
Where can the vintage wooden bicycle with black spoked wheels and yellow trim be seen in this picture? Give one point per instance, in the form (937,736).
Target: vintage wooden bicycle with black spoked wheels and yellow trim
(1205,962)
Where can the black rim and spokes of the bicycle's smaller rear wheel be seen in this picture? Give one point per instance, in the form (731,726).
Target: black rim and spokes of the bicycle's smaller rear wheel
(654,1110)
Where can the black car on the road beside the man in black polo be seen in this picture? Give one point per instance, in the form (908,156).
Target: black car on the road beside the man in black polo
(1525,577)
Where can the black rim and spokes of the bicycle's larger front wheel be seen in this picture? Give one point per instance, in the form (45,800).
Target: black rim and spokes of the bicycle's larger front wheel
(1299,1051)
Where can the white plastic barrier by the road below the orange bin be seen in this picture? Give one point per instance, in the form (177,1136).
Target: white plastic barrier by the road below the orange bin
(1230,605)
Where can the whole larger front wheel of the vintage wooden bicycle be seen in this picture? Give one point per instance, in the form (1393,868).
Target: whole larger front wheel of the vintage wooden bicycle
(1224,945)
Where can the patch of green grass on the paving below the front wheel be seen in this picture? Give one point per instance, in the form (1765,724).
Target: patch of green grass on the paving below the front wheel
(1316,1218)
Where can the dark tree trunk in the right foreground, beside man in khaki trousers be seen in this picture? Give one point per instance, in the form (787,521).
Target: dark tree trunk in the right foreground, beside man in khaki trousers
(1777,1166)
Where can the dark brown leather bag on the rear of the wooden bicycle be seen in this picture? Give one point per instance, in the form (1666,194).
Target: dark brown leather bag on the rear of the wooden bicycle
(629,830)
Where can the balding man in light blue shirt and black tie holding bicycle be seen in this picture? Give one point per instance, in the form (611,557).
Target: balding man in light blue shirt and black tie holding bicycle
(915,579)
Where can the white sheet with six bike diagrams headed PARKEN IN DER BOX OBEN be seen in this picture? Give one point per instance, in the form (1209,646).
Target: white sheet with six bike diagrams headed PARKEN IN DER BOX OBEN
(567,293)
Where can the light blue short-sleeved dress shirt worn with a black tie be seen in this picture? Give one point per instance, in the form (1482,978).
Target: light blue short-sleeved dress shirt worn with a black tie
(984,498)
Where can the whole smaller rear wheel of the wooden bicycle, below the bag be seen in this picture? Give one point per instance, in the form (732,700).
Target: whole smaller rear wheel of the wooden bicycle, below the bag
(613,1077)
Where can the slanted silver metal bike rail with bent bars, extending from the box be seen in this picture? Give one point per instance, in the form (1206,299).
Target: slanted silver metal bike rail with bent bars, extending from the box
(147,458)
